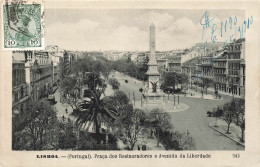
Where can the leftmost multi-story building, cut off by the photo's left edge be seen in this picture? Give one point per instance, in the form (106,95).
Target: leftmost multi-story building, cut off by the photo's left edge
(19,87)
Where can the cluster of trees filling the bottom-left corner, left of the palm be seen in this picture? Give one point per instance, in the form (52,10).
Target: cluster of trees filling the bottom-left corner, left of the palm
(38,128)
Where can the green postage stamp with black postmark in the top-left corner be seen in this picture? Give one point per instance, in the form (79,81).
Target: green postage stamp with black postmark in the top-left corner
(22,26)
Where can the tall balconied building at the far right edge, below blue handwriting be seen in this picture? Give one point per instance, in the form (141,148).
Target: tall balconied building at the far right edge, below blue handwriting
(229,69)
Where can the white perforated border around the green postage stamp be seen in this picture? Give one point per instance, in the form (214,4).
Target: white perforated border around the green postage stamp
(42,47)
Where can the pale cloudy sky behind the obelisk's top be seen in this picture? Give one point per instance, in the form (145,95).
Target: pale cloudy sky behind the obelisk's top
(128,29)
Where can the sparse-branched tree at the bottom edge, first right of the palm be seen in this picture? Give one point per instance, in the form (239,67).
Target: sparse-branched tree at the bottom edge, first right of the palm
(129,126)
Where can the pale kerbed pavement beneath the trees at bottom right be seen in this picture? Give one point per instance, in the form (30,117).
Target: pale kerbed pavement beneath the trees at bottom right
(235,131)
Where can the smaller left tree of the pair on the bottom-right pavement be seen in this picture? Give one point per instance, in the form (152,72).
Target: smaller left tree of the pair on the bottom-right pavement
(228,114)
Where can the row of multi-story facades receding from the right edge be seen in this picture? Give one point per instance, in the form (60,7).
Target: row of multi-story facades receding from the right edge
(225,67)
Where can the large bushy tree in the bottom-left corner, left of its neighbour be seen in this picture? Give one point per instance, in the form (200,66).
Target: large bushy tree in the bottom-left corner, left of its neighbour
(41,129)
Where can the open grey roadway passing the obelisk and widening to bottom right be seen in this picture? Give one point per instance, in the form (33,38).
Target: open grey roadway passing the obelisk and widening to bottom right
(194,119)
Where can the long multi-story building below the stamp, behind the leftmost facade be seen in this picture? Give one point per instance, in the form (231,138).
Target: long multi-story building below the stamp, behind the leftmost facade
(38,72)
